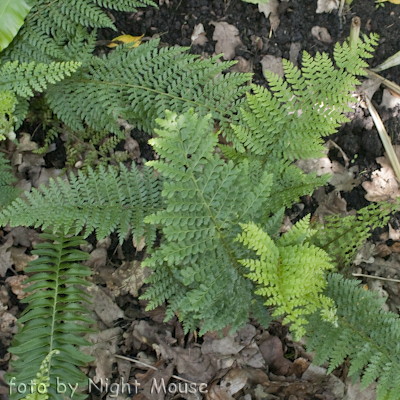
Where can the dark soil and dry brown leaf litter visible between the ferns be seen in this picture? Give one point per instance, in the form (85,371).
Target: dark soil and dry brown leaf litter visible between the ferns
(254,364)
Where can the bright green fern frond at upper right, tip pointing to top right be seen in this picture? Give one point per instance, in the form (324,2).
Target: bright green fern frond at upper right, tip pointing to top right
(288,121)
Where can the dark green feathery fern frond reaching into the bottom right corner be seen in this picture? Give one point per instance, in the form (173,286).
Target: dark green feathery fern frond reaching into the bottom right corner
(366,335)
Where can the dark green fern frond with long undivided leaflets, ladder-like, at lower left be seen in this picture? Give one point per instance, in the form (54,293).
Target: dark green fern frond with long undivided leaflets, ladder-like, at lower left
(54,318)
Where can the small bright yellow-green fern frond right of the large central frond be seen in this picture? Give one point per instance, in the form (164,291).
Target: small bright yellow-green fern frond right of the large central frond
(289,273)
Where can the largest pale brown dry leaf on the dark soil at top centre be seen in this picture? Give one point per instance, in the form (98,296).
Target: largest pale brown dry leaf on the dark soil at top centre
(227,39)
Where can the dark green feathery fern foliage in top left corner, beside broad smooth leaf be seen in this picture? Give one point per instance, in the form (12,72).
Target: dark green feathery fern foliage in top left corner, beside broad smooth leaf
(55,30)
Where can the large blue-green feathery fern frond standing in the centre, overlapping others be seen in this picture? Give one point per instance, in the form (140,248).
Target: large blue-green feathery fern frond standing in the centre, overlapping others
(196,266)
